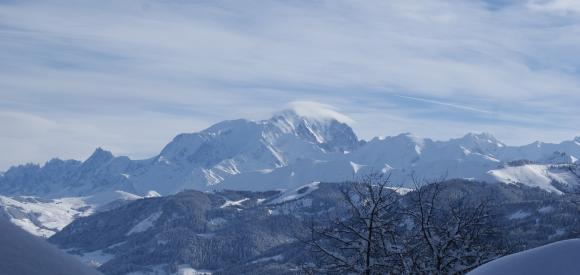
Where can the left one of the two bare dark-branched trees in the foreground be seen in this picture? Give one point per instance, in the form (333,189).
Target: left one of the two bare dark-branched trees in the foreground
(361,242)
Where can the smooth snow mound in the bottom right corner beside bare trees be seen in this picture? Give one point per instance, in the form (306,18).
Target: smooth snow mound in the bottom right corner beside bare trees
(559,258)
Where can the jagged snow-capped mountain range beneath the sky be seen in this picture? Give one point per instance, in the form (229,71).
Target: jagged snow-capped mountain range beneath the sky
(285,151)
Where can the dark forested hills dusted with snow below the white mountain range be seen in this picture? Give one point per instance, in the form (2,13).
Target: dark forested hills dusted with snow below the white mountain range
(246,232)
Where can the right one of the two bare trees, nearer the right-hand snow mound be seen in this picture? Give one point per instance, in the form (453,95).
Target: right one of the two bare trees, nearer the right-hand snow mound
(451,235)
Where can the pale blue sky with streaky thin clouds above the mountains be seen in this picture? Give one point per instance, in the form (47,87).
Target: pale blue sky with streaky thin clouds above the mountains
(130,75)
